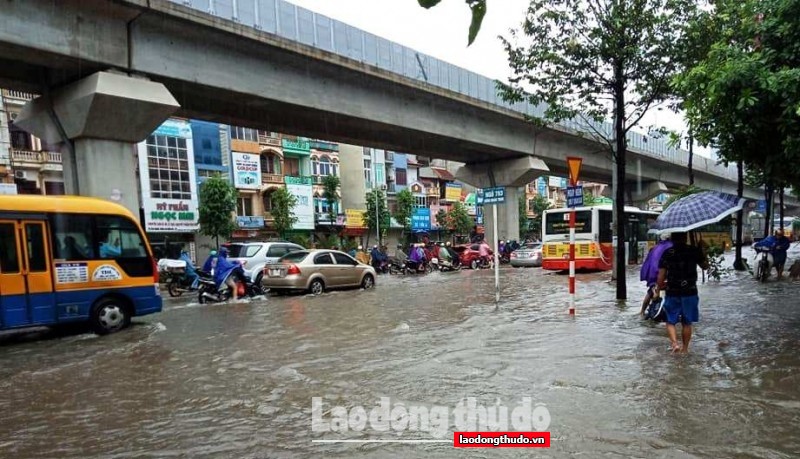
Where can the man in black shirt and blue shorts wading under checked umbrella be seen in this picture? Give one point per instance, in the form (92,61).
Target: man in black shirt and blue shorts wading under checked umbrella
(677,277)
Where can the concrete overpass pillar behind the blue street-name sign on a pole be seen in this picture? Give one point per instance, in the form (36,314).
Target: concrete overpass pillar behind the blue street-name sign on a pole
(511,174)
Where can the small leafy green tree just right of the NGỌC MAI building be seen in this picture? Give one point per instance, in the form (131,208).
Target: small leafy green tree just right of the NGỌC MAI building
(217,205)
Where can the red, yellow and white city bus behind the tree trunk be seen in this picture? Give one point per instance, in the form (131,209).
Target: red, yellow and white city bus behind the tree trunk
(593,237)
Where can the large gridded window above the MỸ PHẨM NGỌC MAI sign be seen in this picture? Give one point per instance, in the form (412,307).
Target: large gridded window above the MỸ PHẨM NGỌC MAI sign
(168,167)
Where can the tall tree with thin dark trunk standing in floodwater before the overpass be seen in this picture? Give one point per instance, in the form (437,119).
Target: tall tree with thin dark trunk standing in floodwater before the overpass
(591,60)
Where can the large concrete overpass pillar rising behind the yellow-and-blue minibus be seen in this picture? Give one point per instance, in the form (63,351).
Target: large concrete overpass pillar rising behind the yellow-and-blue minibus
(99,120)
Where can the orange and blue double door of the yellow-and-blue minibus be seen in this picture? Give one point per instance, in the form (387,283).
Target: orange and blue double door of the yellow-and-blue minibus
(26,282)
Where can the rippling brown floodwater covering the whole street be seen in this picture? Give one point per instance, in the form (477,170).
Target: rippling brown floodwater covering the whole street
(237,380)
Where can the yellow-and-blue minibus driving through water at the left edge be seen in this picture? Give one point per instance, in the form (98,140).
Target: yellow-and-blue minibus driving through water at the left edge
(70,259)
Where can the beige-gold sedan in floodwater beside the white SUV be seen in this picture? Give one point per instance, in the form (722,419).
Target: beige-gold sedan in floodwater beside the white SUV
(318,270)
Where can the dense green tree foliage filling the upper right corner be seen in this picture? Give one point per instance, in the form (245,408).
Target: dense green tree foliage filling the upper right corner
(742,96)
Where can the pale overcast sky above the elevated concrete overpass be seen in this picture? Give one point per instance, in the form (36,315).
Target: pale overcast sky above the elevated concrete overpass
(442,33)
